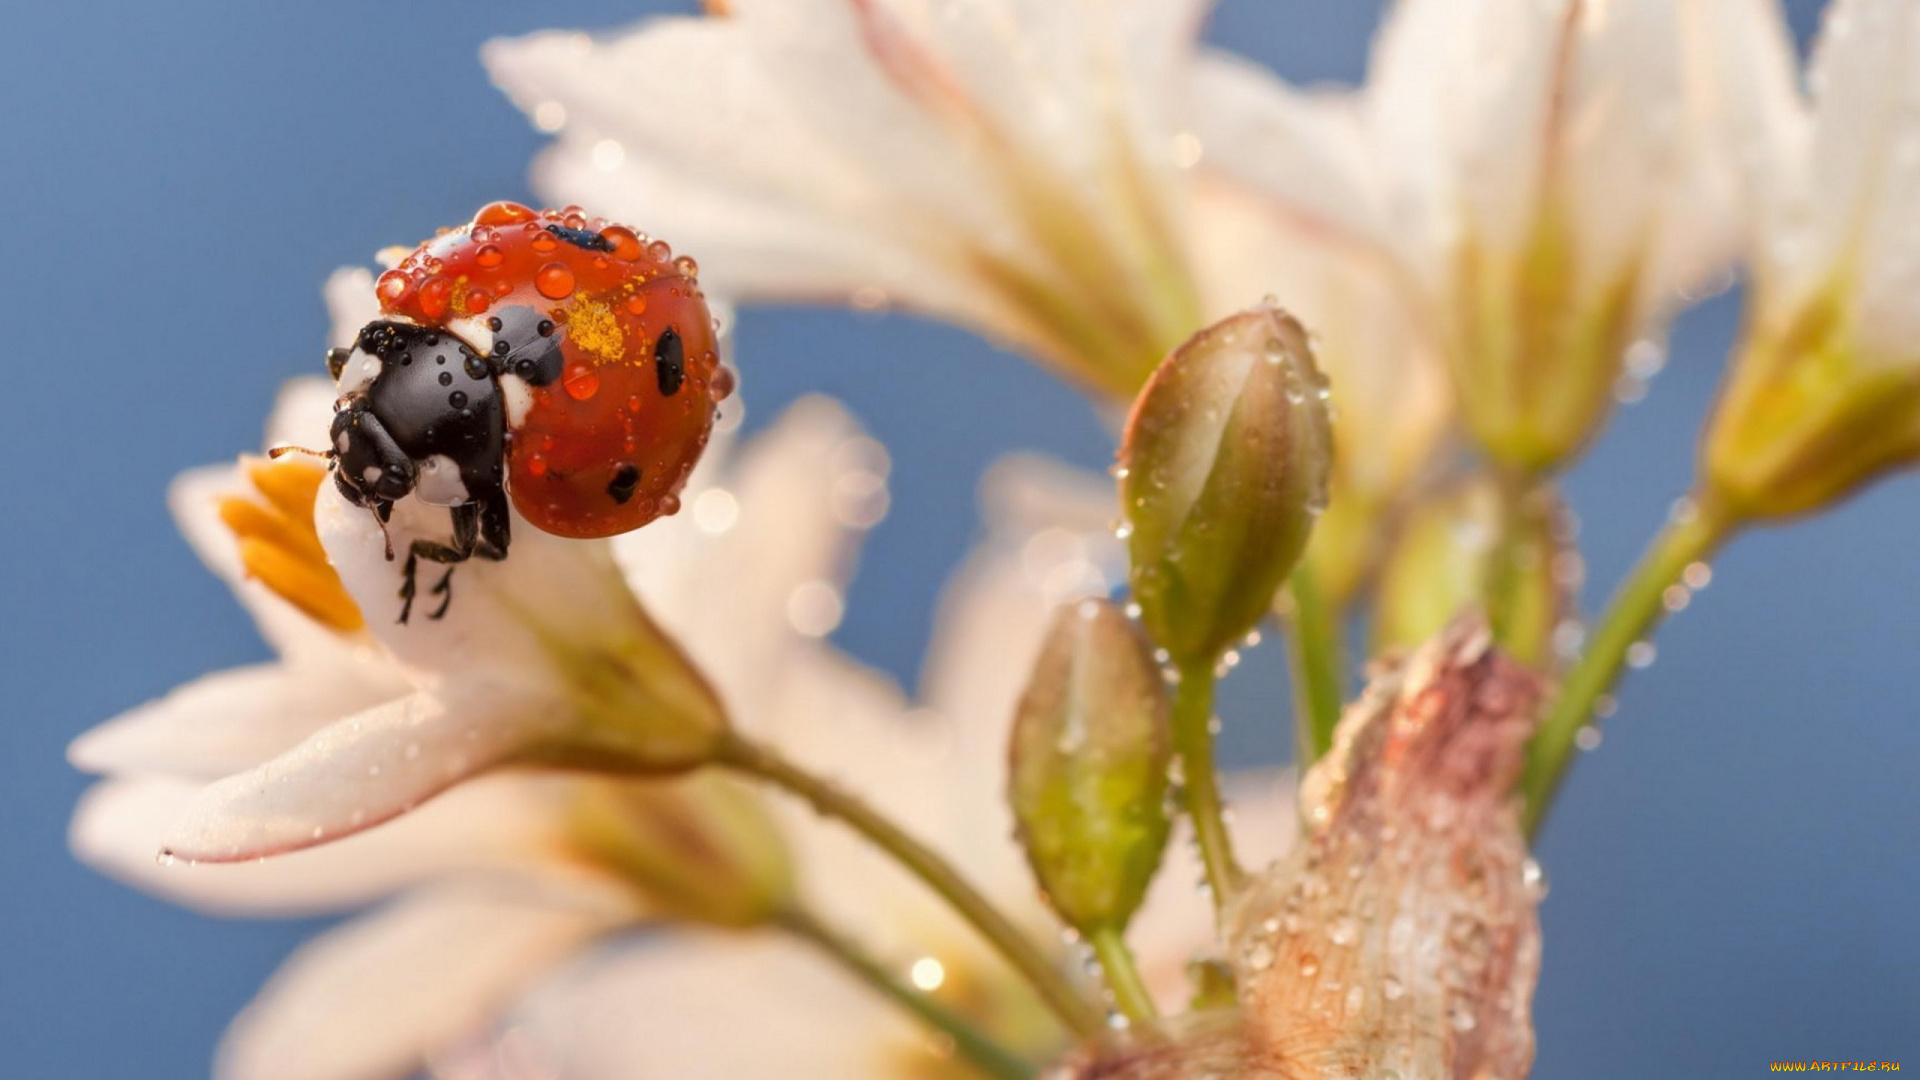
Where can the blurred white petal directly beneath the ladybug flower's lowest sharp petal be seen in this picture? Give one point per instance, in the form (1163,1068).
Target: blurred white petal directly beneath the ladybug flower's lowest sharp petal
(491,825)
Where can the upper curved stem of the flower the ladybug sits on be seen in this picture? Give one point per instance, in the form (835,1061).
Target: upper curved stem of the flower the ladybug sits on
(938,875)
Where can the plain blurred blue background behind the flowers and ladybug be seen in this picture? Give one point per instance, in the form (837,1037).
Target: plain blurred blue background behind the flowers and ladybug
(1735,870)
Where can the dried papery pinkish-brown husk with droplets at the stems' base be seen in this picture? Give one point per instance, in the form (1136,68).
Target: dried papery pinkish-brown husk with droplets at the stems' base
(1401,937)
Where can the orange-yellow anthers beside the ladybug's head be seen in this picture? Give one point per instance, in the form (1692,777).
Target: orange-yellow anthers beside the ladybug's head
(279,545)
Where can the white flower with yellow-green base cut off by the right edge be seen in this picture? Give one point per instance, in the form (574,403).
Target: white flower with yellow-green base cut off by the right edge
(1823,395)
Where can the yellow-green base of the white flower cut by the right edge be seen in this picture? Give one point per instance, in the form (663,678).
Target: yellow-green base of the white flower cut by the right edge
(1808,416)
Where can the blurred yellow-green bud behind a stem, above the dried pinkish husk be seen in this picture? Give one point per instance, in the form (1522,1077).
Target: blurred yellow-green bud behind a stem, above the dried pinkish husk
(1441,564)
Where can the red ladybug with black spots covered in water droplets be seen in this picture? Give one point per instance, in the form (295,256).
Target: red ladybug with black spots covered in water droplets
(552,358)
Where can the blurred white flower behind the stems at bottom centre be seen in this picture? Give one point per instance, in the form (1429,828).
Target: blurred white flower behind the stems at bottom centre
(709,1008)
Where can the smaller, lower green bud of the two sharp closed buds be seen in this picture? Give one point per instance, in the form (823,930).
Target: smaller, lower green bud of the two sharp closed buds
(1090,768)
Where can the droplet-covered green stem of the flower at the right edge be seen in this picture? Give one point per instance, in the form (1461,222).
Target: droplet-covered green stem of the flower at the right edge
(1631,616)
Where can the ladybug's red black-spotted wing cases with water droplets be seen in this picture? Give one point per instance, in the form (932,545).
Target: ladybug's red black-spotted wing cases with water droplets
(617,406)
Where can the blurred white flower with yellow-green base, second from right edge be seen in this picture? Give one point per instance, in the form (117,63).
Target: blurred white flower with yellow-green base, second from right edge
(1543,178)
